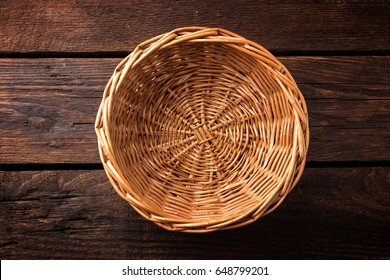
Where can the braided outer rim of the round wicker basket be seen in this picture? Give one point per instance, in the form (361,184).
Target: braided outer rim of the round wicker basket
(195,35)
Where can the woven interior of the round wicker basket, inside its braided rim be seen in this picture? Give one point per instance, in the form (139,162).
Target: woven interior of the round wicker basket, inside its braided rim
(202,131)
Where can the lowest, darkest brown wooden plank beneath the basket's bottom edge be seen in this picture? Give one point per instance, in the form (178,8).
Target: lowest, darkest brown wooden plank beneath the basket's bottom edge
(332,213)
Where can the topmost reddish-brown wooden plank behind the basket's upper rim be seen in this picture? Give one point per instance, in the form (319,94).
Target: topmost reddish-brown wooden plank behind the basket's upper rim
(111,26)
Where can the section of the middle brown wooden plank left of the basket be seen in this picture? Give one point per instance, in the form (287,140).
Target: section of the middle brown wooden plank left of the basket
(48,108)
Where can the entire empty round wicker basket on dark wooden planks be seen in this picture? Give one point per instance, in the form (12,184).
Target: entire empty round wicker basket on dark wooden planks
(200,129)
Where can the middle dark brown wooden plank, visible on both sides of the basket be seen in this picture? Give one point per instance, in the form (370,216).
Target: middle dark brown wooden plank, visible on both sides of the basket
(48,107)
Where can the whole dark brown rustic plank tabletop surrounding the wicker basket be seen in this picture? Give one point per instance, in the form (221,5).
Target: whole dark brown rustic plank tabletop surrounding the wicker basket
(55,59)
